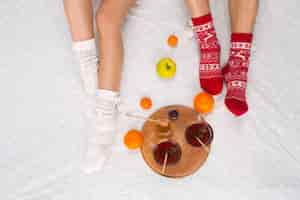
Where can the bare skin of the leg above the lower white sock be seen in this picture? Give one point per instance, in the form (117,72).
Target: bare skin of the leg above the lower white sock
(110,18)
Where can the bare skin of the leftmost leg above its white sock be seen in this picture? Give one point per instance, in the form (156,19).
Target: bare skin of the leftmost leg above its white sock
(80,17)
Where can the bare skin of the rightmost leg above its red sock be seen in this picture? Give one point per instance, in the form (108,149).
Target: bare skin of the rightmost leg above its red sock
(243,14)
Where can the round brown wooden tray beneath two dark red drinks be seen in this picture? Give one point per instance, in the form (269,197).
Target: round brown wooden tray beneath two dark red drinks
(192,158)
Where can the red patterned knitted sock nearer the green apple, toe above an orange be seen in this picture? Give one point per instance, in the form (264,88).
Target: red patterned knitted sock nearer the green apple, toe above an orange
(210,73)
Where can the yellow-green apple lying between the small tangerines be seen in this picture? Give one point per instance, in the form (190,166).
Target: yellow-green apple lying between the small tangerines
(166,68)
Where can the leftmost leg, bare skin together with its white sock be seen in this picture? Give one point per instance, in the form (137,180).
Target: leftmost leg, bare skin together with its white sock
(79,14)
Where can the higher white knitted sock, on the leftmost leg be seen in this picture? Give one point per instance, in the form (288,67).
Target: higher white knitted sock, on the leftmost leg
(87,56)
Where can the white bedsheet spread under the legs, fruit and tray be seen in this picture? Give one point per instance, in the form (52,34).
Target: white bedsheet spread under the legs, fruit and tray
(44,113)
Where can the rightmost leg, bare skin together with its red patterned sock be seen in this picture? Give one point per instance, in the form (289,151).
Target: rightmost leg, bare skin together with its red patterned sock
(243,15)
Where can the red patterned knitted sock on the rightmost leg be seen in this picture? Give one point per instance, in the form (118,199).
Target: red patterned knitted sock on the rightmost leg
(235,73)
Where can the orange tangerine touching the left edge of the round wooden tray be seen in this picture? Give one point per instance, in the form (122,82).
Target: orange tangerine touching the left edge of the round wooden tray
(133,139)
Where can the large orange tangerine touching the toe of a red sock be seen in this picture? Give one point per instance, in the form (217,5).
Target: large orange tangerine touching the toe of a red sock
(204,103)
